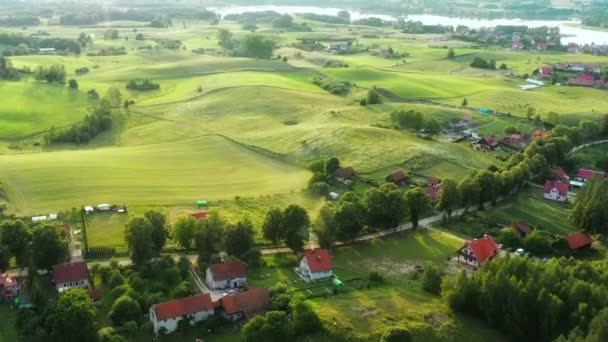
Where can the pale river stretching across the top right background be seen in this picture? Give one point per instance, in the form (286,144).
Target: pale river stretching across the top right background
(571,30)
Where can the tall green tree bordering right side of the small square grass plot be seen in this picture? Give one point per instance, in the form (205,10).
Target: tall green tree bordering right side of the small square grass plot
(138,237)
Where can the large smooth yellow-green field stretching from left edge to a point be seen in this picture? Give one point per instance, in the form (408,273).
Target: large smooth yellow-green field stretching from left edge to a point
(178,173)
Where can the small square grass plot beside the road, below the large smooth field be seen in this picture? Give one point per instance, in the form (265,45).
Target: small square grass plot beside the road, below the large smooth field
(106,230)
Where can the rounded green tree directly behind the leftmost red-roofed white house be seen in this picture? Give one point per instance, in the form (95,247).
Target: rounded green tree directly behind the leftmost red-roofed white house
(49,246)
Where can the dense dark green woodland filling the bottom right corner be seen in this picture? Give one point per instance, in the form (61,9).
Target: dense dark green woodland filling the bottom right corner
(532,301)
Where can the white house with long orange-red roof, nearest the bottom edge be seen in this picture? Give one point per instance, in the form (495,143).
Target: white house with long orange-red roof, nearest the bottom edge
(165,316)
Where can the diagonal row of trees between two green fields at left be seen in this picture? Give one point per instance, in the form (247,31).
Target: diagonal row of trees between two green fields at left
(98,121)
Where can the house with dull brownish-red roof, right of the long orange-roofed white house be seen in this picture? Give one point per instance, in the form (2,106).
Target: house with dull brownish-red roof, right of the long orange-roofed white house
(245,305)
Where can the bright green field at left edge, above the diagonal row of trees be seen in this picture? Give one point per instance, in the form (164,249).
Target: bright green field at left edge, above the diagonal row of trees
(28,108)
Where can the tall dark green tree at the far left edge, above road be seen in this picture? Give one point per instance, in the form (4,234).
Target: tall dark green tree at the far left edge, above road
(16,236)
